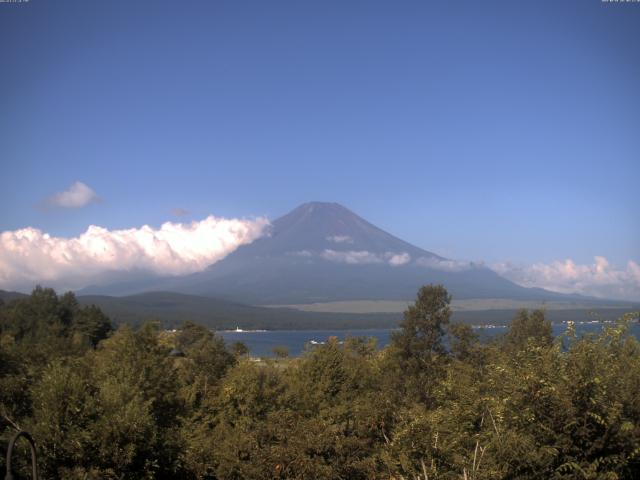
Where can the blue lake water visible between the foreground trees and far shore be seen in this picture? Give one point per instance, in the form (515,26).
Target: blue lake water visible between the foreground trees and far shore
(261,343)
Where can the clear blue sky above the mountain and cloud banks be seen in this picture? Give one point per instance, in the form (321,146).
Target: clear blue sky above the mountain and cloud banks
(494,130)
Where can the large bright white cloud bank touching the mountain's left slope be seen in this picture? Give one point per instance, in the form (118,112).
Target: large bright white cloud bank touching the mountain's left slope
(29,255)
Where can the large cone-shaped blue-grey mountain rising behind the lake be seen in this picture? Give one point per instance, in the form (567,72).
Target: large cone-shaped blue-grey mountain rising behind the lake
(324,252)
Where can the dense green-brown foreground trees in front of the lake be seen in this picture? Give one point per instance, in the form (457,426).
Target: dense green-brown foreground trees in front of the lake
(147,403)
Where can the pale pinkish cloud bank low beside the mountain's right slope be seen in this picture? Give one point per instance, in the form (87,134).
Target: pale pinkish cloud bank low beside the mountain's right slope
(599,279)
